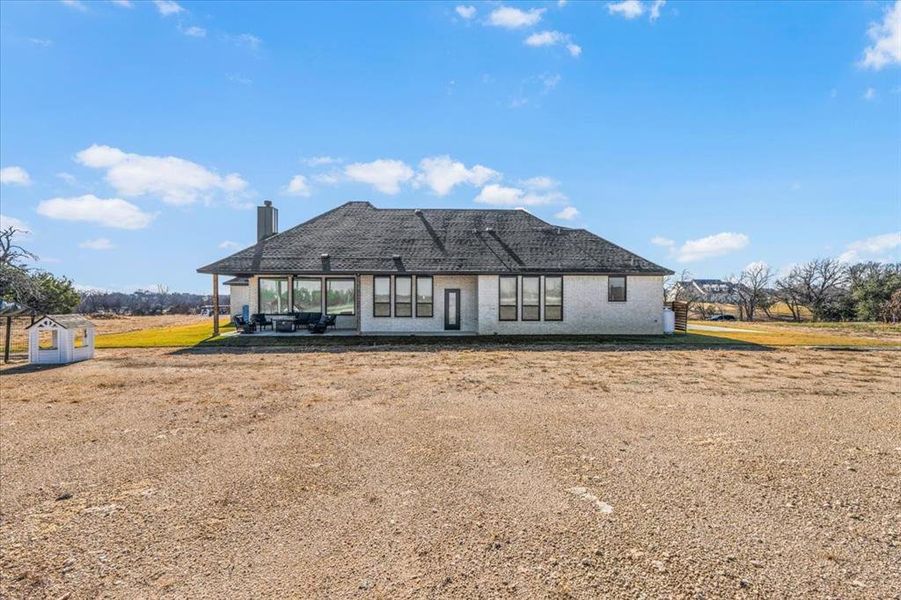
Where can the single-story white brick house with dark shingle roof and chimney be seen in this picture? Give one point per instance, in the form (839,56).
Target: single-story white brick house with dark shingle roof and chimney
(430,271)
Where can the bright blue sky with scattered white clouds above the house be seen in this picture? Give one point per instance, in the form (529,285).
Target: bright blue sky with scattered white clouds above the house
(135,137)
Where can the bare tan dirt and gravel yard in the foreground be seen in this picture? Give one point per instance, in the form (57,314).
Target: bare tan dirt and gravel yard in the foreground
(453,473)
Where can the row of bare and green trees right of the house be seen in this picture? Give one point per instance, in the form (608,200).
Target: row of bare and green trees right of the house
(827,289)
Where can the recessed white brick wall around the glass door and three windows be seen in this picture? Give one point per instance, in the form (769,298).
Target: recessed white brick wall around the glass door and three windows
(469,310)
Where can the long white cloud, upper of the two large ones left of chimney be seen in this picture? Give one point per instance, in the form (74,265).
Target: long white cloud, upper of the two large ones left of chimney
(175,180)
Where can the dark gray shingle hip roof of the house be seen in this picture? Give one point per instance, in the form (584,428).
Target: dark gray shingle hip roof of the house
(359,238)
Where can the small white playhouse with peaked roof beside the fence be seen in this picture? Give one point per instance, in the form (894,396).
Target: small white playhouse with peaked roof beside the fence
(60,339)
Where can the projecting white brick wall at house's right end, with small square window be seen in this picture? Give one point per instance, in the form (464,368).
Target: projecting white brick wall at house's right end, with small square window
(585,308)
